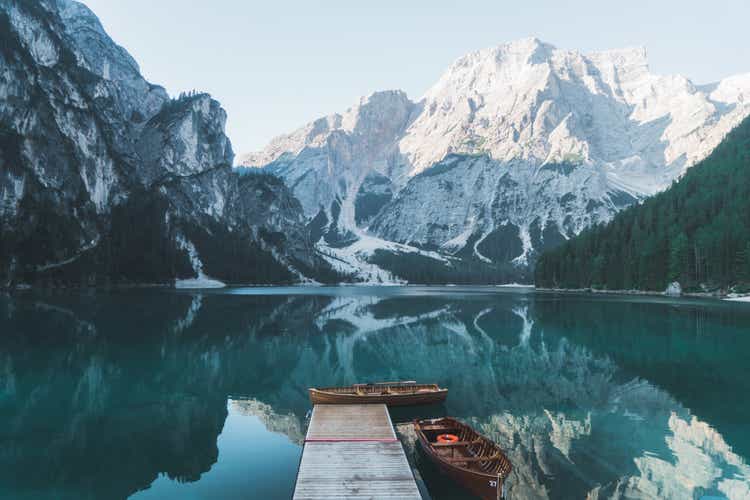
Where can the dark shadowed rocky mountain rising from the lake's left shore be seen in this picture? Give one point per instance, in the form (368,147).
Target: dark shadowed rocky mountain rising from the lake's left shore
(105,179)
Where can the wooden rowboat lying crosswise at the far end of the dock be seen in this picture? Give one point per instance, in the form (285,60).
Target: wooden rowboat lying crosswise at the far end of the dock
(390,393)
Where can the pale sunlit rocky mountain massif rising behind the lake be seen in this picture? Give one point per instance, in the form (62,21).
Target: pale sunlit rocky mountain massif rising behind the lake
(515,149)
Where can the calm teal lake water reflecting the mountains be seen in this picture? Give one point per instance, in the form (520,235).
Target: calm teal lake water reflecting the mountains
(165,394)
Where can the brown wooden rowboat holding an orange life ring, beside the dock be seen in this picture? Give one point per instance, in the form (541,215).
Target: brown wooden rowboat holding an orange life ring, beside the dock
(465,456)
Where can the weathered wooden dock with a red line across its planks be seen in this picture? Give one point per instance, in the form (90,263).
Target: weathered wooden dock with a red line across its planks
(351,451)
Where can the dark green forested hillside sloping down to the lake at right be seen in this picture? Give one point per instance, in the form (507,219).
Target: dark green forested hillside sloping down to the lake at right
(697,233)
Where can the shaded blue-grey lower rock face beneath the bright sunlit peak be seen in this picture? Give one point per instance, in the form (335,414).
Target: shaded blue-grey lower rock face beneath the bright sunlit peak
(514,208)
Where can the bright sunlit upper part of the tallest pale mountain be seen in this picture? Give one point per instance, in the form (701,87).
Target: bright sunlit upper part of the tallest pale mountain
(515,97)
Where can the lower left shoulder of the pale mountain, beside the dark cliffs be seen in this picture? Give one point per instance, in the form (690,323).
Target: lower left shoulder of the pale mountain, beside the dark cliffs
(329,160)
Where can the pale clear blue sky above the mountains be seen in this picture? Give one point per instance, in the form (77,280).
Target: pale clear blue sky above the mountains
(276,65)
